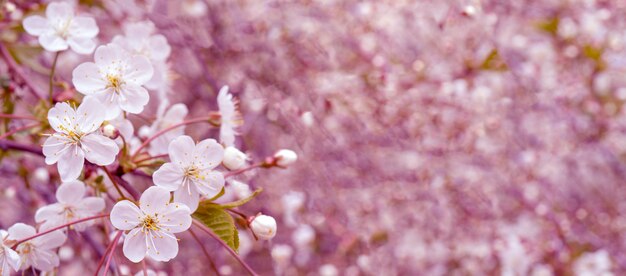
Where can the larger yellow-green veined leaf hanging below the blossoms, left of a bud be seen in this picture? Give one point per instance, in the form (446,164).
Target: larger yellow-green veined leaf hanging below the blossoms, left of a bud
(218,220)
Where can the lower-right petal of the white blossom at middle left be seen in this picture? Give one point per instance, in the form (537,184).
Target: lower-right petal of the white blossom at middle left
(99,150)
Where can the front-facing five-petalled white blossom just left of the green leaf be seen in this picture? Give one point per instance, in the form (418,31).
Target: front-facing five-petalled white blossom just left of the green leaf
(152,225)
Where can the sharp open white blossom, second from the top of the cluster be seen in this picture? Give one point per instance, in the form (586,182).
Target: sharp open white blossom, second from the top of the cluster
(116,79)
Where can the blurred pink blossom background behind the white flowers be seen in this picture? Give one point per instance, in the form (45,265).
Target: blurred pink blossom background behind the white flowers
(434,137)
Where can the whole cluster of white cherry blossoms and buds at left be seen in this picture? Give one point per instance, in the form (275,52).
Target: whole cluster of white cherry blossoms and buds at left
(114,85)
